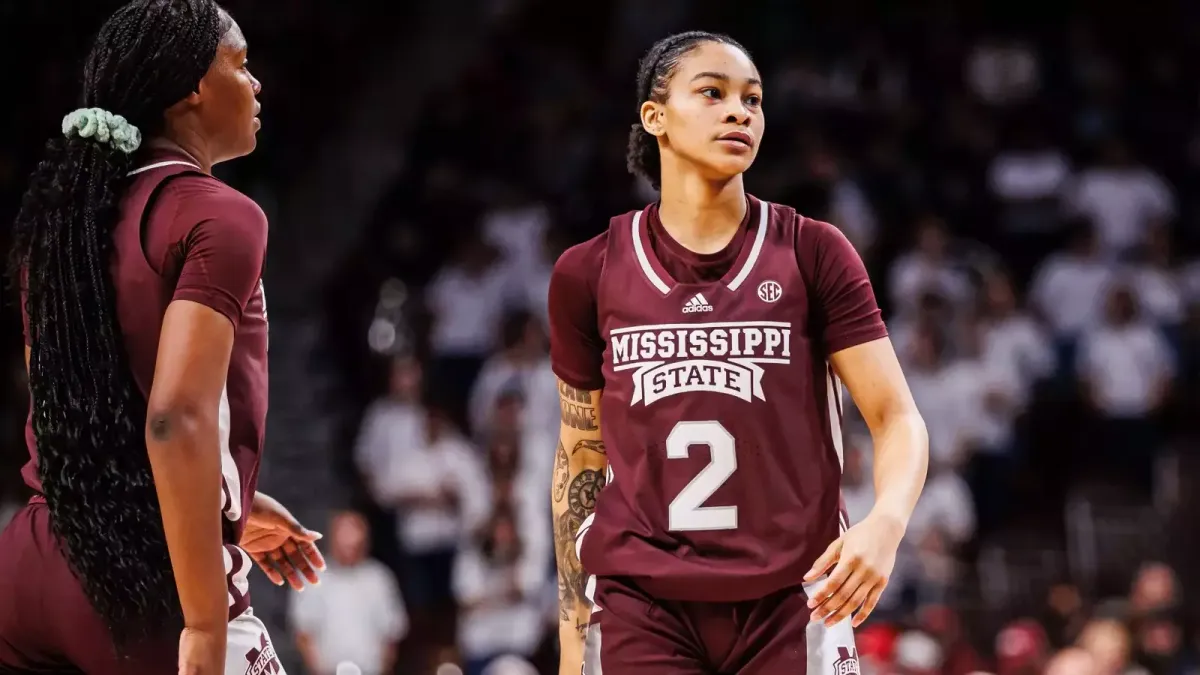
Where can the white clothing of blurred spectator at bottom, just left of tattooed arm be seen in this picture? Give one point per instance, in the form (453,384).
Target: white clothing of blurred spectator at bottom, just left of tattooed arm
(494,623)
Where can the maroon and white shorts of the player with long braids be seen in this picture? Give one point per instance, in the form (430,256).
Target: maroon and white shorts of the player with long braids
(49,626)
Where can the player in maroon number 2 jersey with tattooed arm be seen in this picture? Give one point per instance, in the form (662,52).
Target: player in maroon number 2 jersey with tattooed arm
(700,347)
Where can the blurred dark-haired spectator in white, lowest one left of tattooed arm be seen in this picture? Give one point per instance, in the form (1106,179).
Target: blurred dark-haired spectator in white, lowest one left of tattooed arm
(497,582)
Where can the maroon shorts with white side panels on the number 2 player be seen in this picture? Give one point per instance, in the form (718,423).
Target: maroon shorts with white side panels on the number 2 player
(635,635)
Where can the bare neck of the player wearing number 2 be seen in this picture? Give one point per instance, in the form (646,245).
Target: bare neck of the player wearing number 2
(701,216)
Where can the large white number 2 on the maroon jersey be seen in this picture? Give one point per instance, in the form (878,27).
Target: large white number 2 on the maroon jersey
(687,512)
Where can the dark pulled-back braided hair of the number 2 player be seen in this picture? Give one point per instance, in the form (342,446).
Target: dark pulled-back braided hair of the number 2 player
(655,74)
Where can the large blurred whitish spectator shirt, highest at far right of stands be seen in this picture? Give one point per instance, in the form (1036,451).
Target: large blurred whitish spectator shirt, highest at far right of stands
(1123,204)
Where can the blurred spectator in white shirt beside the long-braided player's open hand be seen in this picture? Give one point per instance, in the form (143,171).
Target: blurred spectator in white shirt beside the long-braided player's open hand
(356,613)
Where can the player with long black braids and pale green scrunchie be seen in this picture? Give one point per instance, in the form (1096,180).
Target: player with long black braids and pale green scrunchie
(147,351)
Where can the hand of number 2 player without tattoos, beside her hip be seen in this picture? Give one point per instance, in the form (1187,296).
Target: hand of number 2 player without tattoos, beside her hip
(862,561)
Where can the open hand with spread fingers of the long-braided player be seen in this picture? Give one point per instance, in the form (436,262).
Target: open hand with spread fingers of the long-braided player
(283,548)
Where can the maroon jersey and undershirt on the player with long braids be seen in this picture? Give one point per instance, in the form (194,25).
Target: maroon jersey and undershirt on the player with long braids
(205,242)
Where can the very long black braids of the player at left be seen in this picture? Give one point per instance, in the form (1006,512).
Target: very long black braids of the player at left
(89,416)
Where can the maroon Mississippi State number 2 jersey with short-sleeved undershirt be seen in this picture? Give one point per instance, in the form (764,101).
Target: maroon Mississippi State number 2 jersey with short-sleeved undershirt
(721,413)
